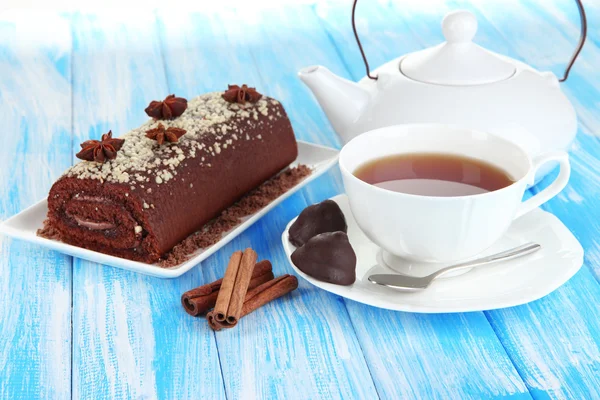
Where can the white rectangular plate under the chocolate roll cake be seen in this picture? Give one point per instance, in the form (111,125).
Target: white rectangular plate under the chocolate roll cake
(25,224)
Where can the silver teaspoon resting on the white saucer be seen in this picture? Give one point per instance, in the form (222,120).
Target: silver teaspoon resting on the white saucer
(412,283)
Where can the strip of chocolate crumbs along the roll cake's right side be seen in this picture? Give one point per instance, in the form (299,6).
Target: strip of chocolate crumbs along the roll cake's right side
(230,217)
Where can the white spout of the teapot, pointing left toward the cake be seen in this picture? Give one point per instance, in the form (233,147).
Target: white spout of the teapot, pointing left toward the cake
(342,100)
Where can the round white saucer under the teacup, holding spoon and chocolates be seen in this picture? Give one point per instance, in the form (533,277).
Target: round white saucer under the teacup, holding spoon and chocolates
(489,287)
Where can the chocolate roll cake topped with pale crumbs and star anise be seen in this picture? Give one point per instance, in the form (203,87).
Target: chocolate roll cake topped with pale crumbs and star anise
(163,181)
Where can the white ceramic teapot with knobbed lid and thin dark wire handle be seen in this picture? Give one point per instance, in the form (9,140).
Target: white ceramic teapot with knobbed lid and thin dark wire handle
(455,82)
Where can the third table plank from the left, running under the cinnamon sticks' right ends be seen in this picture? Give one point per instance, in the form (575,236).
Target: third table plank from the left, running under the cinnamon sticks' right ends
(304,345)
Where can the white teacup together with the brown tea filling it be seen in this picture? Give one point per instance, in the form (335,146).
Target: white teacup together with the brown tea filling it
(439,193)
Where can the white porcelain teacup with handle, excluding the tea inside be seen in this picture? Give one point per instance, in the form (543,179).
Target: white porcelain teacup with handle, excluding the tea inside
(442,229)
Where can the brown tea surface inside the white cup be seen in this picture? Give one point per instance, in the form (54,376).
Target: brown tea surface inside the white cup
(432,174)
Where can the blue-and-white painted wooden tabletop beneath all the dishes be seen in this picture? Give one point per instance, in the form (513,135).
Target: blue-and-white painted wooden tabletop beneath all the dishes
(74,329)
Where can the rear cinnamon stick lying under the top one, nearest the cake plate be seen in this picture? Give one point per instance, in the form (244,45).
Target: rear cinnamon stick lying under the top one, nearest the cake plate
(201,299)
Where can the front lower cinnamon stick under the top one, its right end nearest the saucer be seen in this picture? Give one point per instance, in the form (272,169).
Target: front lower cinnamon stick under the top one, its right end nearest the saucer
(258,297)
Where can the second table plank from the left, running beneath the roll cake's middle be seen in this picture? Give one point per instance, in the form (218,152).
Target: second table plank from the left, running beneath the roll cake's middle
(131,337)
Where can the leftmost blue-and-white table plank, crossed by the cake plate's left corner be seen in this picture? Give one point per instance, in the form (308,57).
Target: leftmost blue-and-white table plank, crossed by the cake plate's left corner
(35,284)
